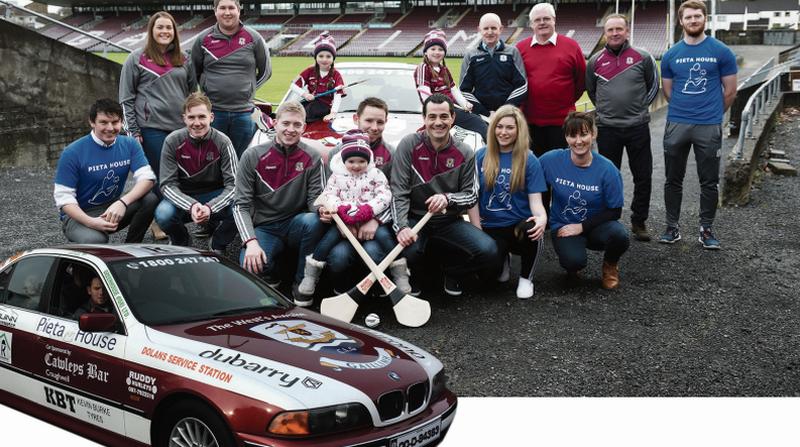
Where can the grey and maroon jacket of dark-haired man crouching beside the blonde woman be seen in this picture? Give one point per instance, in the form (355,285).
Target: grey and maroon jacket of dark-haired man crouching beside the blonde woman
(419,171)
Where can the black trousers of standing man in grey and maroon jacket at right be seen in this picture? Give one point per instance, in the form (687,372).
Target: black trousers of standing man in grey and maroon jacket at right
(636,140)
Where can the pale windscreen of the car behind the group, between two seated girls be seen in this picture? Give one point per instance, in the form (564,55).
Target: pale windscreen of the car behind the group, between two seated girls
(394,86)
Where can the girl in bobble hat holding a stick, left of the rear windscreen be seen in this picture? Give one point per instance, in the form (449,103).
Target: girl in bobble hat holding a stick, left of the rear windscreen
(320,78)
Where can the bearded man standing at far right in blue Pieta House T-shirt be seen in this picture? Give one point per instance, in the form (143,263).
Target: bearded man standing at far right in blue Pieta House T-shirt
(699,78)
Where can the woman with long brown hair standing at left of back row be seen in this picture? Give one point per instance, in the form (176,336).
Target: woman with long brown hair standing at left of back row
(154,83)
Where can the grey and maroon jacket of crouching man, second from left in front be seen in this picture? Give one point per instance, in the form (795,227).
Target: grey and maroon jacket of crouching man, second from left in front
(190,166)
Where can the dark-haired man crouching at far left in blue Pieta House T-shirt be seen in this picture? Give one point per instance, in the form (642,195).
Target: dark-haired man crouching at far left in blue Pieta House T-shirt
(90,179)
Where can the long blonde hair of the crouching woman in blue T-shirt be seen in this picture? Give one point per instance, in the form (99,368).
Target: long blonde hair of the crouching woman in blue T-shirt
(519,153)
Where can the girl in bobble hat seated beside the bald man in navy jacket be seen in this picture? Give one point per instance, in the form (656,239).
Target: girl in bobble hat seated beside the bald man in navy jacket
(432,76)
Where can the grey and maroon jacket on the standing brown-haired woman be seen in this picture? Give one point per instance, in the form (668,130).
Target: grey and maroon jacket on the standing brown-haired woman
(152,95)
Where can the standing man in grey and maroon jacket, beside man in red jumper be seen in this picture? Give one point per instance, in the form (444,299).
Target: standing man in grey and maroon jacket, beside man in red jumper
(622,81)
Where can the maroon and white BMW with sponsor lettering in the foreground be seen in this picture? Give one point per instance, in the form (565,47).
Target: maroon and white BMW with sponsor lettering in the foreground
(168,346)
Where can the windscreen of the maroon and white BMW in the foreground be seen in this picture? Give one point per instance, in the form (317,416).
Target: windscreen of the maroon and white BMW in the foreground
(182,288)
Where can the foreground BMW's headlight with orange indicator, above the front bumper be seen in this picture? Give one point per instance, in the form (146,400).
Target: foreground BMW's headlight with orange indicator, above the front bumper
(319,421)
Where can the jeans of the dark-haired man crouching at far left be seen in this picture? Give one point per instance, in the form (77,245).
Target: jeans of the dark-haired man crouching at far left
(138,216)
